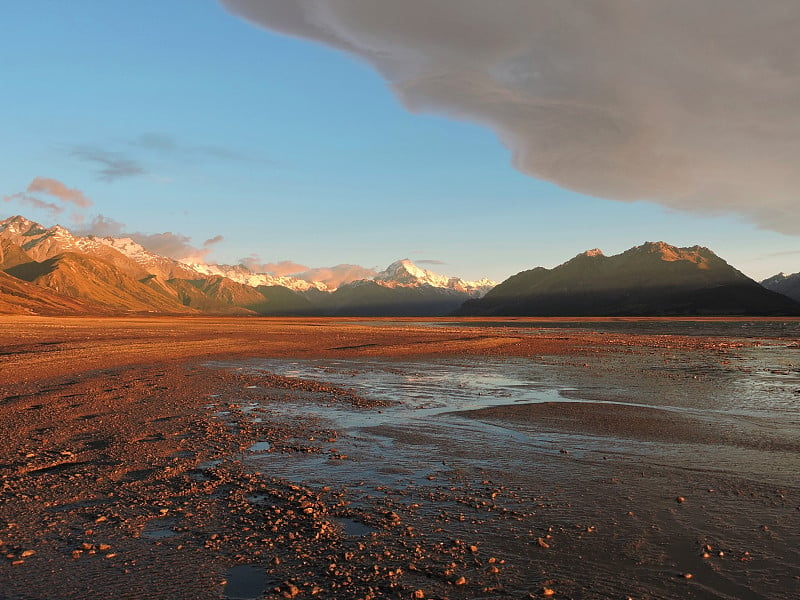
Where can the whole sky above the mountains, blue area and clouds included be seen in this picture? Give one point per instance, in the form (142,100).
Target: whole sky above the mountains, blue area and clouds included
(476,138)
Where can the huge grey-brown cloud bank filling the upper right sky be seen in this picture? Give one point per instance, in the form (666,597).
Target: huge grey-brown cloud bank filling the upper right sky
(689,104)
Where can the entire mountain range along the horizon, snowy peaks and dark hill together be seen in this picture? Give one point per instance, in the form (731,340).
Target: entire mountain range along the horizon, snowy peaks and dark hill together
(53,271)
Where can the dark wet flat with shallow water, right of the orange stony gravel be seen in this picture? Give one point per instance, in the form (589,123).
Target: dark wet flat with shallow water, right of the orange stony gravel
(512,473)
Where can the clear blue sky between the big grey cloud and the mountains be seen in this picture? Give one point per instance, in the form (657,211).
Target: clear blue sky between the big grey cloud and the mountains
(180,117)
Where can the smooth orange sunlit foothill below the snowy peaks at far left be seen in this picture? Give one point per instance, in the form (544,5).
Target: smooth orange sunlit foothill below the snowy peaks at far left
(96,281)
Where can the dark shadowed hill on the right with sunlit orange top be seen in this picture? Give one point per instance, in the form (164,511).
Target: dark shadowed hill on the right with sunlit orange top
(652,279)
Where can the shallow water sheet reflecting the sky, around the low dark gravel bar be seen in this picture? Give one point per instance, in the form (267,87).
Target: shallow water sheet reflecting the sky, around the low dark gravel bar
(752,394)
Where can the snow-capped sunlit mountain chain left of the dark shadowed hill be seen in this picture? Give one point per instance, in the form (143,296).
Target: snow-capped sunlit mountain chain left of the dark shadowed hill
(107,274)
